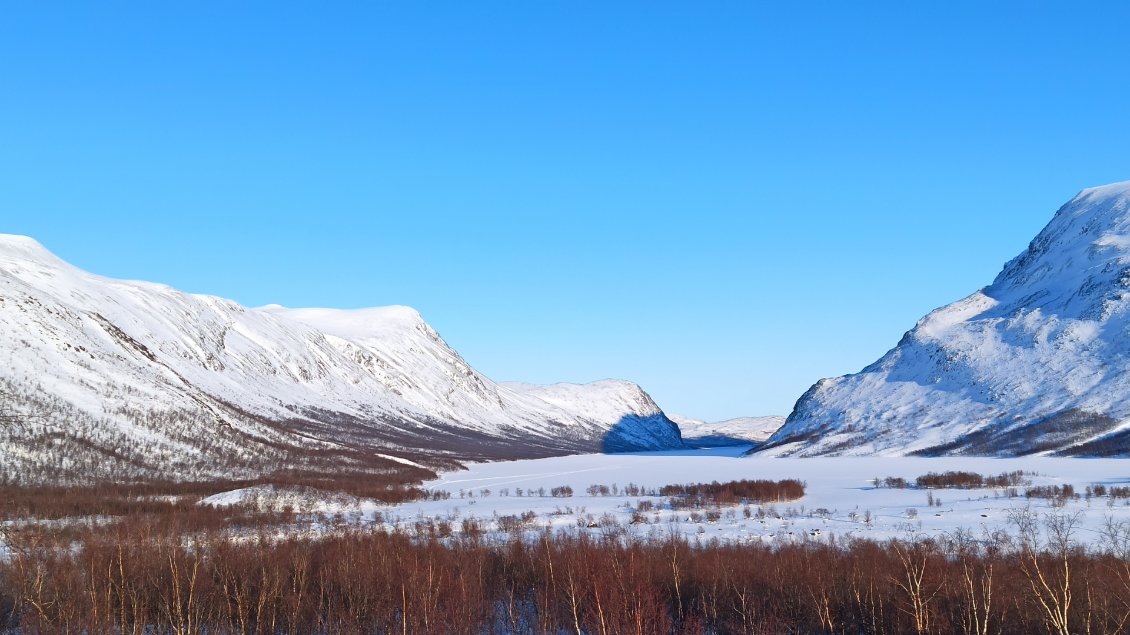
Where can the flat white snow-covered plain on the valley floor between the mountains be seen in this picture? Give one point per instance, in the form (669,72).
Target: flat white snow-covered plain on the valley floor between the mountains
(841,498)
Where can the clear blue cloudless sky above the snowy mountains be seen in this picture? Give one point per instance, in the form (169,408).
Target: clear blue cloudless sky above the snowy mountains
(723,202)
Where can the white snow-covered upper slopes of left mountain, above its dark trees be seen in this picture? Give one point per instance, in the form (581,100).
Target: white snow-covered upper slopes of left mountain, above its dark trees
(107,347)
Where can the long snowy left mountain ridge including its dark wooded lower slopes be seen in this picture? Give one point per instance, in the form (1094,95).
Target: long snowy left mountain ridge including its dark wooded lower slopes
(150,381)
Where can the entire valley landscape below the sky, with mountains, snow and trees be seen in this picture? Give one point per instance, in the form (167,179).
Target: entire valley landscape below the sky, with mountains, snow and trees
(355,457)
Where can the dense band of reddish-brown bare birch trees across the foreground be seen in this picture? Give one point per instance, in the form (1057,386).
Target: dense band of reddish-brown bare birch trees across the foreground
(143,579)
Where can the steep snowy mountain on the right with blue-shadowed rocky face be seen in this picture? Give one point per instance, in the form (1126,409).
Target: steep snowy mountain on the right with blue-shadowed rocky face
(1037,362)
